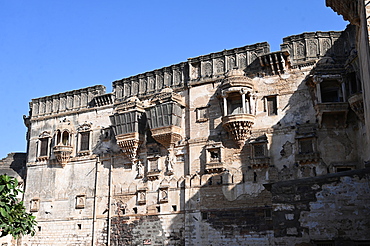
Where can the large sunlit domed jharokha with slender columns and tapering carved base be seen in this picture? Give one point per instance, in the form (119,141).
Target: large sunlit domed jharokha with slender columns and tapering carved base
(238,106)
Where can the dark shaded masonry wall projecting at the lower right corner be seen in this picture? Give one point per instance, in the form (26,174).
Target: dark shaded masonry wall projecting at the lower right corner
(332,207)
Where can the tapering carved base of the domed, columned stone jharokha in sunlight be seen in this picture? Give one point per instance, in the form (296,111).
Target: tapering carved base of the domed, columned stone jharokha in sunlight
(239,126)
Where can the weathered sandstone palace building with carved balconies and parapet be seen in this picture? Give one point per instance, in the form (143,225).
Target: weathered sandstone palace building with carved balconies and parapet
(239,147)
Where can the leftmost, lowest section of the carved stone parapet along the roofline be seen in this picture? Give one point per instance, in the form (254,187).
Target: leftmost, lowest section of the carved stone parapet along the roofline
(65,102)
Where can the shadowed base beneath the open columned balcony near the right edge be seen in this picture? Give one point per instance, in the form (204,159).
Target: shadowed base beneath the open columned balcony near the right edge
(334,112)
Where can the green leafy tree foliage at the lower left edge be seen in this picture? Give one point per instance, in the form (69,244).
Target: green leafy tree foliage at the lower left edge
(13,217)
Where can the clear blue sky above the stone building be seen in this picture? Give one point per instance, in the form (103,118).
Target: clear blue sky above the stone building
(48,47)
